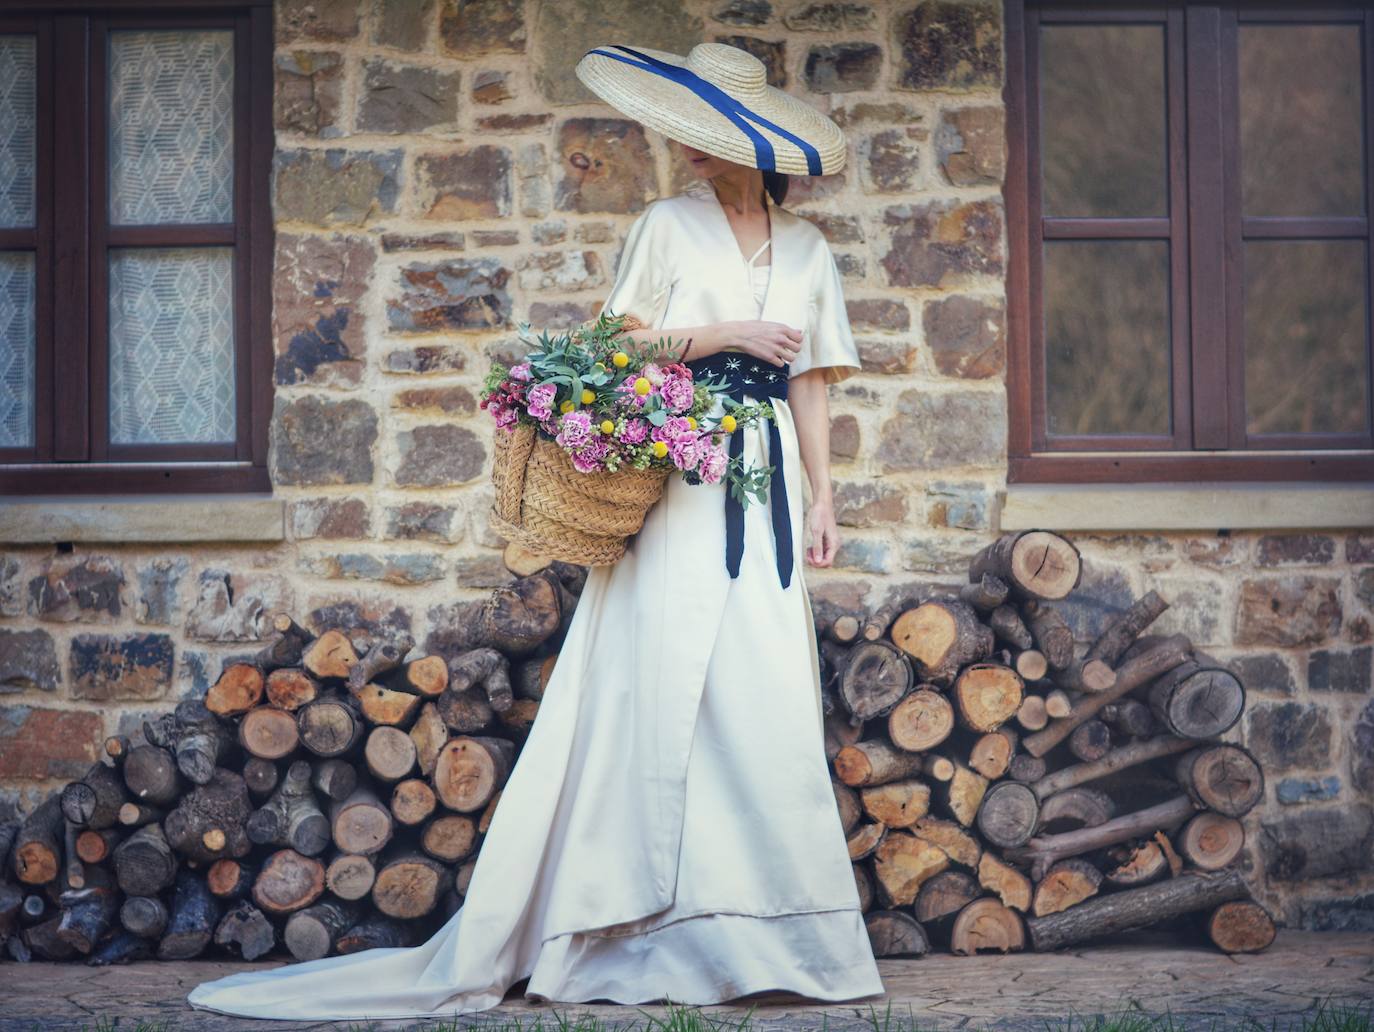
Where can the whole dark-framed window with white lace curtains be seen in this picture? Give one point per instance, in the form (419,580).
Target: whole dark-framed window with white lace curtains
(135,248)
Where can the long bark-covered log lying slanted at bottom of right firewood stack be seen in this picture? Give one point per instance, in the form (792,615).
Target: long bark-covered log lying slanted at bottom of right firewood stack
(1133,909)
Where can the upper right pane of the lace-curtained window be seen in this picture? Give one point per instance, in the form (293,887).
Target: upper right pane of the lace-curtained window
(171,127)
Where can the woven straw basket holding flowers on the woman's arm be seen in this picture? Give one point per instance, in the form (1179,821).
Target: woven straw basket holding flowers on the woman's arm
(545,504)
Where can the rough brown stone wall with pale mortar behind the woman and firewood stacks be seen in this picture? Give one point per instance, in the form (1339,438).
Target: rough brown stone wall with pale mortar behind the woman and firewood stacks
(442,177)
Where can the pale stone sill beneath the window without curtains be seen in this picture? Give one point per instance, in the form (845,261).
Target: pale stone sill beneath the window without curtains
(1186,506)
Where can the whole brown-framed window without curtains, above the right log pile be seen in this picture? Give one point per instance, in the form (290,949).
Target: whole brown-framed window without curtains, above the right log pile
(1189,208)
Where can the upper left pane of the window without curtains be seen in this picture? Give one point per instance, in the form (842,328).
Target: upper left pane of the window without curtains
(1103,112)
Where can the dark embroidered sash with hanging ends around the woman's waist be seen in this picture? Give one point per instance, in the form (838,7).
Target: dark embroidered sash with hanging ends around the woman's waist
(748,376)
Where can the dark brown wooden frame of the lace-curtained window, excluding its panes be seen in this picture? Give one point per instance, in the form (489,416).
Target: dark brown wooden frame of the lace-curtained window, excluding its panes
(74,236)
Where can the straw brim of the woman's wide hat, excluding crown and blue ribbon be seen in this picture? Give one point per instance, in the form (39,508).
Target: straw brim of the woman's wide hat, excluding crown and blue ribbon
(681,115)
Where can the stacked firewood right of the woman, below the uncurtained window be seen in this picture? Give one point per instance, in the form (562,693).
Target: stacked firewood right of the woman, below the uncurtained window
(1004,789)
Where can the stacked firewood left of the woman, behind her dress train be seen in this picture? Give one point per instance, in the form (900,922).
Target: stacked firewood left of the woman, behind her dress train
(326,798)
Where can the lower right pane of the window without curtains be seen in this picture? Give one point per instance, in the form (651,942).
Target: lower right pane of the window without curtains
(1306,344)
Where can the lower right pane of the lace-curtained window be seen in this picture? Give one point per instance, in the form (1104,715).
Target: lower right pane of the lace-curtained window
(171,346)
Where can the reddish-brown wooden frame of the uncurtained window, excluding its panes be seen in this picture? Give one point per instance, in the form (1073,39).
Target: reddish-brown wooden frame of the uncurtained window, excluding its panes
(1204,221)
